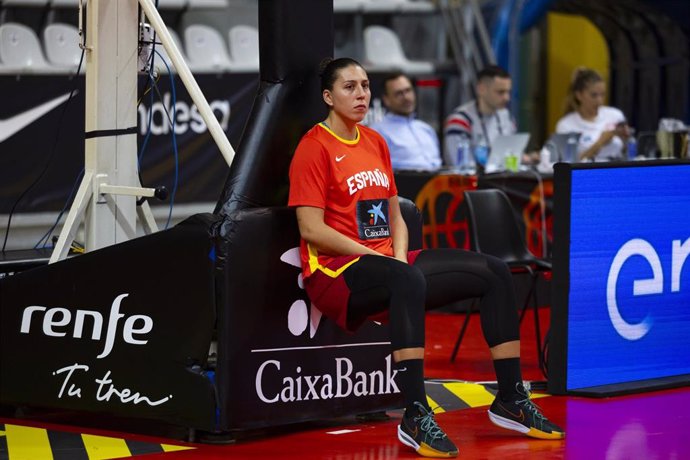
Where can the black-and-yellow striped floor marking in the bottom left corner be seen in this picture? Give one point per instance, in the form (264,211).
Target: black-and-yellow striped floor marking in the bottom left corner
(21,442)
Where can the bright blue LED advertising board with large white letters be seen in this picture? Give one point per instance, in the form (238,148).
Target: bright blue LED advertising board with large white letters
(629,299)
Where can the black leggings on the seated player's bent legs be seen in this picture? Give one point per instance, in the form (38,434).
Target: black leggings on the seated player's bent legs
(437,278)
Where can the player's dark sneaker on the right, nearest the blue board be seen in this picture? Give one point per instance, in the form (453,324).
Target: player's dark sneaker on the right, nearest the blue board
(524,416)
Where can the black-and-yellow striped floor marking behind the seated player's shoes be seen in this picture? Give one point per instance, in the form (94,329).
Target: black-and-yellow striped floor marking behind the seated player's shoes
(445,395)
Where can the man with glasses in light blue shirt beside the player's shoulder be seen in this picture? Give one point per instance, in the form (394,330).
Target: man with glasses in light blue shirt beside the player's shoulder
(413,144)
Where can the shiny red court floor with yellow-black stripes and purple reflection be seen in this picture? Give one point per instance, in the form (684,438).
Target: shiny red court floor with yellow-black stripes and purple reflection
(642,426)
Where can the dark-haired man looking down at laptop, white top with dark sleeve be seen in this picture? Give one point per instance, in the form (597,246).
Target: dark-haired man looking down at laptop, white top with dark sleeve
(480,121)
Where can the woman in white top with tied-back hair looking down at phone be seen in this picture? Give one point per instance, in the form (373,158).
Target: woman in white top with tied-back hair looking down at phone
(603,129)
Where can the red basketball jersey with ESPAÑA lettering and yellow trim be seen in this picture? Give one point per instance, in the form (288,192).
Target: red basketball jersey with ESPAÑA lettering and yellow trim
(351,181)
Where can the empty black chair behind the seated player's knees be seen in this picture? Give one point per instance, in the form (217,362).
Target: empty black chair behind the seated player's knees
(495,231)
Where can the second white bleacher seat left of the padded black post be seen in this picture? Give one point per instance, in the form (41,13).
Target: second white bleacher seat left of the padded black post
(206,49)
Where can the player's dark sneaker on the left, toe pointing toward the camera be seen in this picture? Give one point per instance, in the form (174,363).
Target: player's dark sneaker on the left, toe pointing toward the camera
(422,433)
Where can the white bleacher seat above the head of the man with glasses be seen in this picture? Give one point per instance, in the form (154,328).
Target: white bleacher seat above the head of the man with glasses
(383,51)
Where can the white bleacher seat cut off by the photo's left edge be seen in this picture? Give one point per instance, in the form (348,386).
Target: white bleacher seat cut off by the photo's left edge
(20,50)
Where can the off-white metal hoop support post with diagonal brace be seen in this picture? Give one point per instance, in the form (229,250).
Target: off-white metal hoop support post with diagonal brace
(106,199)
